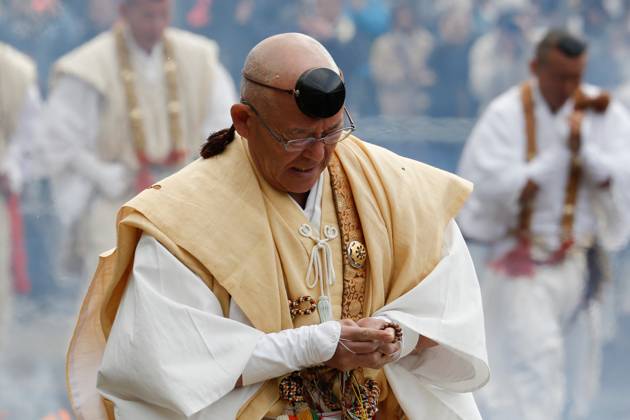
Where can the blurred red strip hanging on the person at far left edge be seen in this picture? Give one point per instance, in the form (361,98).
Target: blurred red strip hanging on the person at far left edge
(19,267)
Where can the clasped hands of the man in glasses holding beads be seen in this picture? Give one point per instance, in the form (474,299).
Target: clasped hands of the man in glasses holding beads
(364,344)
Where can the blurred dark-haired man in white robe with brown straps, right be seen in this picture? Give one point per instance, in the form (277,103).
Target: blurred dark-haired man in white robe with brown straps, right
(549,159)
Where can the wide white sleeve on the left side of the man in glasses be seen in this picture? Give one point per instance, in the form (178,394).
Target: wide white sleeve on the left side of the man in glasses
(171,352)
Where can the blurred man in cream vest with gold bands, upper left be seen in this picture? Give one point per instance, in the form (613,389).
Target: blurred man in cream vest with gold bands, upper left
(131,106)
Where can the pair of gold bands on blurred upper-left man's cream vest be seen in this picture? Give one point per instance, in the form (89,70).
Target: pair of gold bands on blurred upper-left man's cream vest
(173,104)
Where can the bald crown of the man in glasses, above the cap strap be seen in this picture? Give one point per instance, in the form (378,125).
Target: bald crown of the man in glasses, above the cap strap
(280,60)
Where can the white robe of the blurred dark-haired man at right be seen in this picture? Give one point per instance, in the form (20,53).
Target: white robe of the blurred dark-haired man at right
(527,318)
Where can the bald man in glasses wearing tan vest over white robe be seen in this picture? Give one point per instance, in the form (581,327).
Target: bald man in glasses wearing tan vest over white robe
(294,271)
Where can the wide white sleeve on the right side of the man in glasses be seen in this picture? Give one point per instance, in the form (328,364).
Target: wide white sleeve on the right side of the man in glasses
(445,307)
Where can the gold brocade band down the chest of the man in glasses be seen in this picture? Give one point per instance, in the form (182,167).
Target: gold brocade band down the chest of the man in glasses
(354,279)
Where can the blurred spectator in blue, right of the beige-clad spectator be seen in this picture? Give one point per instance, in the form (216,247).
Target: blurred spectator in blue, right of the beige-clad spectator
(450,94)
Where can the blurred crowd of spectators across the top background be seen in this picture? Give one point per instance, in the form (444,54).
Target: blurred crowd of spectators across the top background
(441,58)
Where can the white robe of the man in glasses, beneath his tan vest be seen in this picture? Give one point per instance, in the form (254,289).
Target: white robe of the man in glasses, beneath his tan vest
(172,355)
